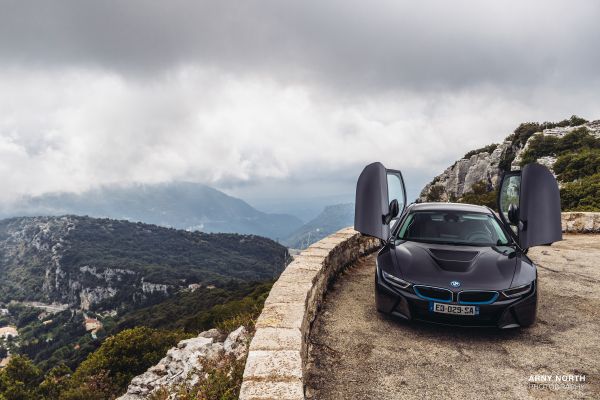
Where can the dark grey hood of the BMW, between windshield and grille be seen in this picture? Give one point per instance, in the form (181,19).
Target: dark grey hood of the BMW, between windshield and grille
(487,268)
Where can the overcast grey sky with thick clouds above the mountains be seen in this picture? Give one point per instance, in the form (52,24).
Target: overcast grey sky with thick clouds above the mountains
(275,100)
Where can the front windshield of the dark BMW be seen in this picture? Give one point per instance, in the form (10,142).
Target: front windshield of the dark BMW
(453,227)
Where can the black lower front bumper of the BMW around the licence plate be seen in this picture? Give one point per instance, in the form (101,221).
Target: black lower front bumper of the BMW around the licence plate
(503,313)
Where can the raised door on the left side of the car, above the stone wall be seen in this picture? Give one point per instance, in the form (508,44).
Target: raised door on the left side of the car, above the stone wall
(380,198)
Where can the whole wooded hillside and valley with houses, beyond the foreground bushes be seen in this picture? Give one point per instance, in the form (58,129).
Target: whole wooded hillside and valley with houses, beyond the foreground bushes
(69,282)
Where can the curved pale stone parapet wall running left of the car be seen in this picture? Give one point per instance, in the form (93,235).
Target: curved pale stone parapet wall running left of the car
(278,351)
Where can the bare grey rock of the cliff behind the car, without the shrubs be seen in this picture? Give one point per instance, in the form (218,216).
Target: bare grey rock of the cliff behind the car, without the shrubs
(484,167)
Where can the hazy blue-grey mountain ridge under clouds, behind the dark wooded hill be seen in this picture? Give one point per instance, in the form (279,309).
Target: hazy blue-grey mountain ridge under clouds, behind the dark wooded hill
(181,205)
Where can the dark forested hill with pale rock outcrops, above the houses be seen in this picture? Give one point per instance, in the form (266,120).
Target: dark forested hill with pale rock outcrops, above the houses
(105,264)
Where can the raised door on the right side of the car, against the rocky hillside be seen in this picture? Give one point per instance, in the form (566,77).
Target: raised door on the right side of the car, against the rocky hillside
(529,203)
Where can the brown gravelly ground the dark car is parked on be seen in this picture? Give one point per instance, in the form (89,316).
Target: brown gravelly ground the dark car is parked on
(356,353)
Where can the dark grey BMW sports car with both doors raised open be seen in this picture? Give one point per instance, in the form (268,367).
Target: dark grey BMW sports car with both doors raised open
(459,264)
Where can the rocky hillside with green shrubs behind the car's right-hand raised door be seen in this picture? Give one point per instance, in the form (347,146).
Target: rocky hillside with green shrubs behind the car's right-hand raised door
(570,148)
